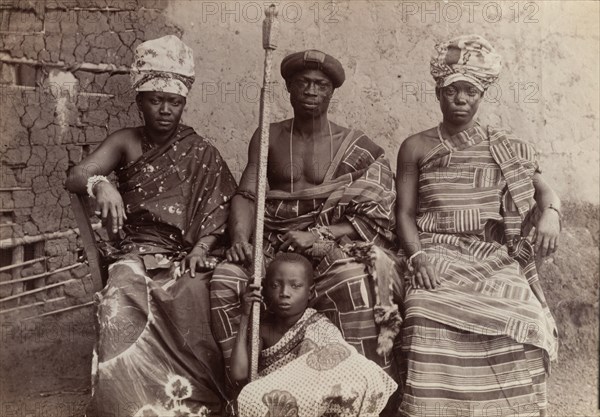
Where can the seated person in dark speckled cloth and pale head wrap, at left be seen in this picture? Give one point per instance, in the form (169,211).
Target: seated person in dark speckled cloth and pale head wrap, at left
(155,349)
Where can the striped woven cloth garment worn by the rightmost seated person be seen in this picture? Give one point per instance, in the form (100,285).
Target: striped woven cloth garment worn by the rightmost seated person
(485,337)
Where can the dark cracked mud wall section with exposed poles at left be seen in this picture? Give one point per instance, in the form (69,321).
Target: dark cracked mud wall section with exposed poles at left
(64,86)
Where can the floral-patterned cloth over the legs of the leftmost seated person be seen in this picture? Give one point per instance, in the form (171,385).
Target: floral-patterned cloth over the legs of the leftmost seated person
(155,354)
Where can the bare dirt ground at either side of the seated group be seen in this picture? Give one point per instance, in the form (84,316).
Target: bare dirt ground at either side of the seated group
(46,366)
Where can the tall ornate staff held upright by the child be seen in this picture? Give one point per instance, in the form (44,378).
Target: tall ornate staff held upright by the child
(270,25)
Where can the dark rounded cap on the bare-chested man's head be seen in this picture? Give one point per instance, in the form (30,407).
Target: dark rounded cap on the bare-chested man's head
(313,59)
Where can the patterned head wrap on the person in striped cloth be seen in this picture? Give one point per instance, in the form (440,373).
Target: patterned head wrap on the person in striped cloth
(465,58)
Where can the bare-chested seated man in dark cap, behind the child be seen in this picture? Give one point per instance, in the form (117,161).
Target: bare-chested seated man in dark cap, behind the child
(327,185)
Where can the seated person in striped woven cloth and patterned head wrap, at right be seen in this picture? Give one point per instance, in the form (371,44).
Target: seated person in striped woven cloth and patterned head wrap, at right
(478,335)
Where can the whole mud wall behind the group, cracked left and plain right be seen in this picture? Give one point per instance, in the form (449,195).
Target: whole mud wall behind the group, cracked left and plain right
(64,87)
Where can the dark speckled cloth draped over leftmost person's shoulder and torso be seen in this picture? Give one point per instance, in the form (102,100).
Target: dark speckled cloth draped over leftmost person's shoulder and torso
(174,195)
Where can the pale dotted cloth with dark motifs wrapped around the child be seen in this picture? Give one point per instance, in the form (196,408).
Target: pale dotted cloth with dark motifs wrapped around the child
(312,371)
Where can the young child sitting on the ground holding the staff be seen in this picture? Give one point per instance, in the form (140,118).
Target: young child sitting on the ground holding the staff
(306,368)
